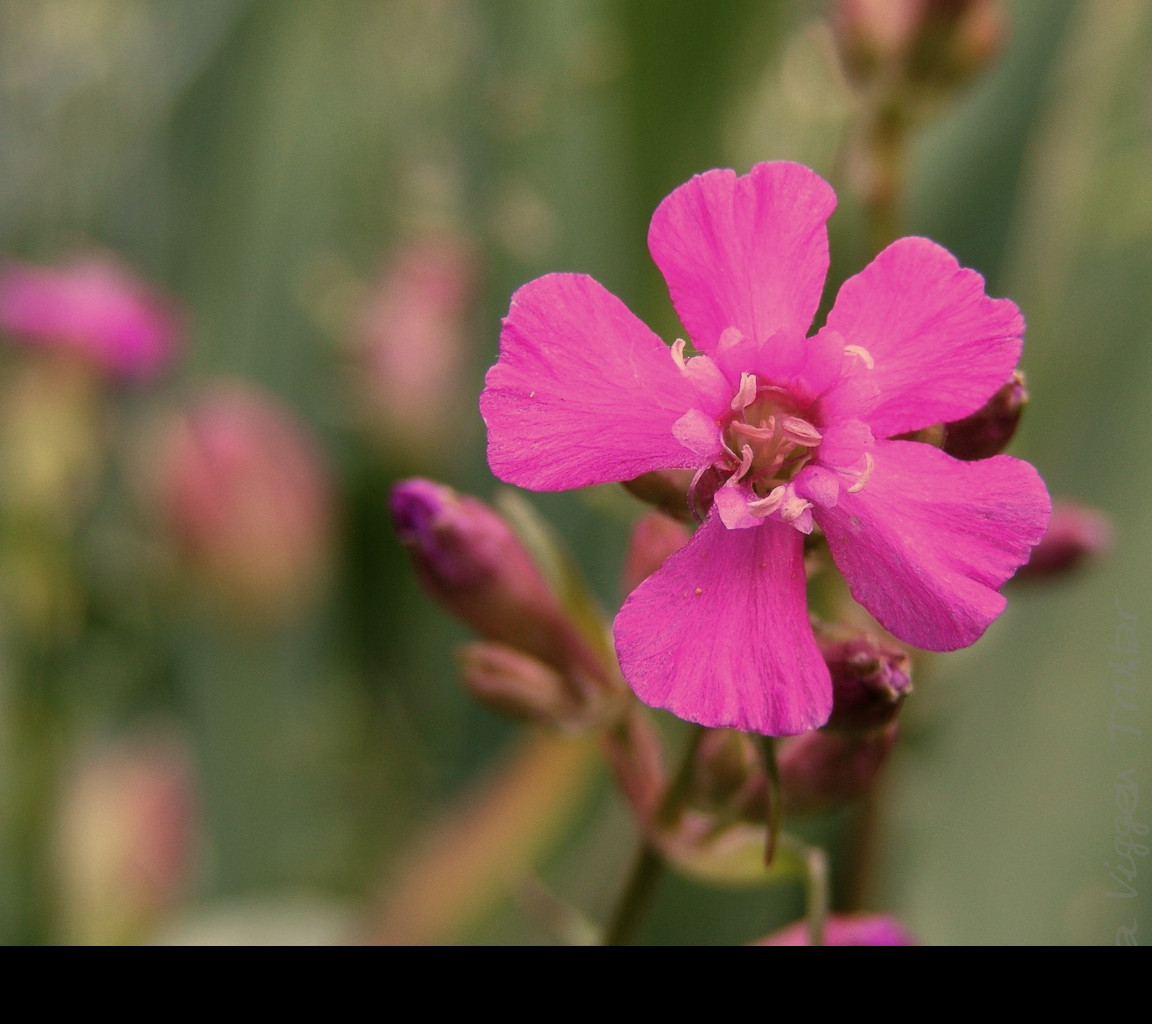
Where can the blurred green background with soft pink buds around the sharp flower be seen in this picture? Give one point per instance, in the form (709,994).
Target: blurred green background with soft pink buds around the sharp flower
(241,730)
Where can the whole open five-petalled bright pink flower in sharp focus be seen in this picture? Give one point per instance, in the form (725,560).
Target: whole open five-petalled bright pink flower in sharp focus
(784,433)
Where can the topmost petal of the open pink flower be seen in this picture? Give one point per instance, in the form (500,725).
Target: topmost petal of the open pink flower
(748,253)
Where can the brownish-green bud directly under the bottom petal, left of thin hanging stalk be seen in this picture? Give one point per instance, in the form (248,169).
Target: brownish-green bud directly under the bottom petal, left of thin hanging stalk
(729,778)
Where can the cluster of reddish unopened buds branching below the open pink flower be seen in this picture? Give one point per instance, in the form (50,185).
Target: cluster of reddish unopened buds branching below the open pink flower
(540,662)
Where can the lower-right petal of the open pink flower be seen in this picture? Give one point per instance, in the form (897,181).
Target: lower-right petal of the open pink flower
(928,542)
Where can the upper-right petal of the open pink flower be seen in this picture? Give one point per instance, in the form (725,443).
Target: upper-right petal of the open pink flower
(939,345)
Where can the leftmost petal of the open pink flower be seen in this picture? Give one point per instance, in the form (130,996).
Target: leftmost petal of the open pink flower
(583,392)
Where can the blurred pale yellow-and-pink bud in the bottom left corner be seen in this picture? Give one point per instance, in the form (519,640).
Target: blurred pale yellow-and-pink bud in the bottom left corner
(125,841)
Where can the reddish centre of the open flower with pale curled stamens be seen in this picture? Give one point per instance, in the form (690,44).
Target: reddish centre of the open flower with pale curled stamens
(768,436)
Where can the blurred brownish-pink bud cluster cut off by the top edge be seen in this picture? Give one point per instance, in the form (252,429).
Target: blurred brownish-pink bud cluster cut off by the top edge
(924,44)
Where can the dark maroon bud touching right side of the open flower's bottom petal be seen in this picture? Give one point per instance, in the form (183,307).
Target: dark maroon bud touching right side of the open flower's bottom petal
(870,681)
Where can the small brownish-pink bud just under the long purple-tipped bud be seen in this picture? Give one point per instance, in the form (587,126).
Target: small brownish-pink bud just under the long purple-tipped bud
(517,685)
